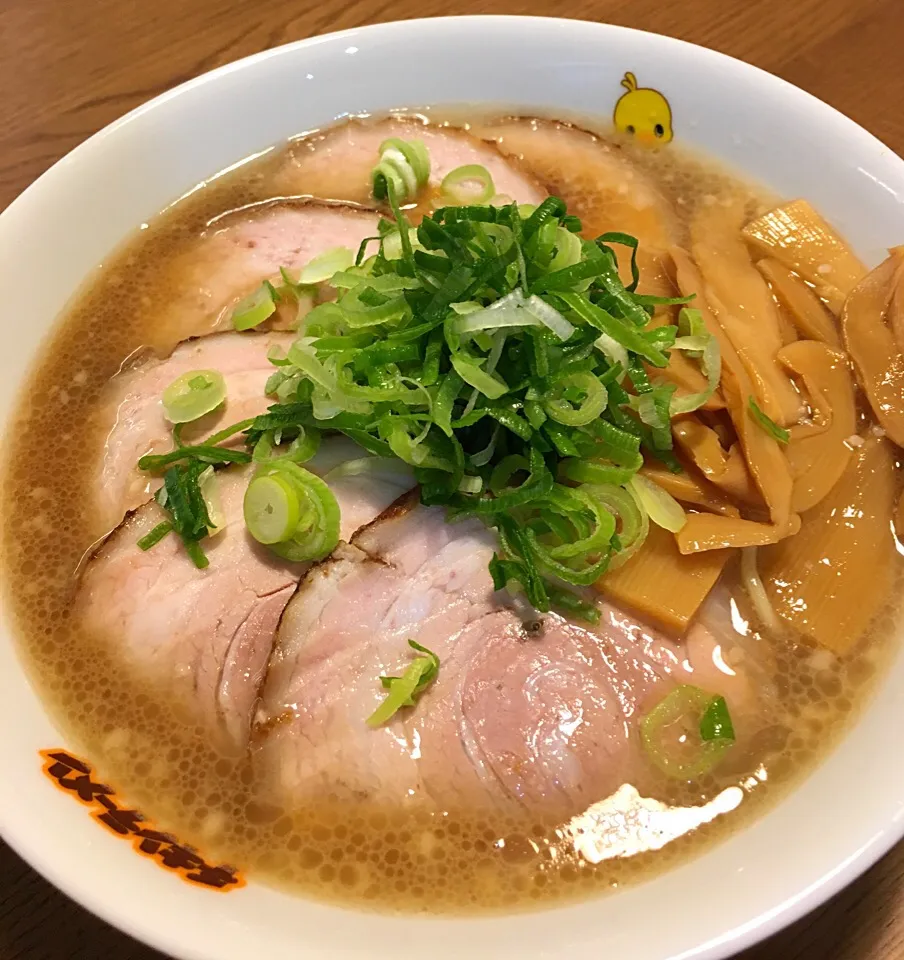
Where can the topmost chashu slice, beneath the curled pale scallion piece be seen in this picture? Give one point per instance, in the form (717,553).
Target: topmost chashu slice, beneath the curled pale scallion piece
(338,164)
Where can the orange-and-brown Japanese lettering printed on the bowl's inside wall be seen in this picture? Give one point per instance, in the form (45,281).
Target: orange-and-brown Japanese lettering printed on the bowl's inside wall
(76,777)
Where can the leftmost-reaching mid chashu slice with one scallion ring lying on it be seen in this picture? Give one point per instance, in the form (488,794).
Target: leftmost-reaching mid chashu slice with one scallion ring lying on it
(131,418)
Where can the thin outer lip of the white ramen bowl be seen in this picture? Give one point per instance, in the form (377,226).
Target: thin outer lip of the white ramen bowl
(757,928)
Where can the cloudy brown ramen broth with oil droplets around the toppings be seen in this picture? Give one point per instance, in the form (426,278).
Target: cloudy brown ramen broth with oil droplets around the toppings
(399,856)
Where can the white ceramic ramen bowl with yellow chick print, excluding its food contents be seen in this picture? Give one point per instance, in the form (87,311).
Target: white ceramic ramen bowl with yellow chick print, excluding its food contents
(827,832)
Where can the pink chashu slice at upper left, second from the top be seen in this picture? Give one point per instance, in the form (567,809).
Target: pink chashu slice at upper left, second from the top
(236,253)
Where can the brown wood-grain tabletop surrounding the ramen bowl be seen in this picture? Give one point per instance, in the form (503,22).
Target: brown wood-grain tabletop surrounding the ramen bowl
(68,67)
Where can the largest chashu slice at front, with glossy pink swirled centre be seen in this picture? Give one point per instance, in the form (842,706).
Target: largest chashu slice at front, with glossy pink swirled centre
(516,716)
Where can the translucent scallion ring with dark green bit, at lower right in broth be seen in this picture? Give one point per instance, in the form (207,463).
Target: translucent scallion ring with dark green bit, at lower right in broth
(687,733)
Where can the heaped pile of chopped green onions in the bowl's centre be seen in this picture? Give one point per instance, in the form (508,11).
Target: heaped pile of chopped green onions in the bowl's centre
(501,357)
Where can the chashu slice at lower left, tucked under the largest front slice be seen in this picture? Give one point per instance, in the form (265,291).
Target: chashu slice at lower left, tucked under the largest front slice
(206,635)
